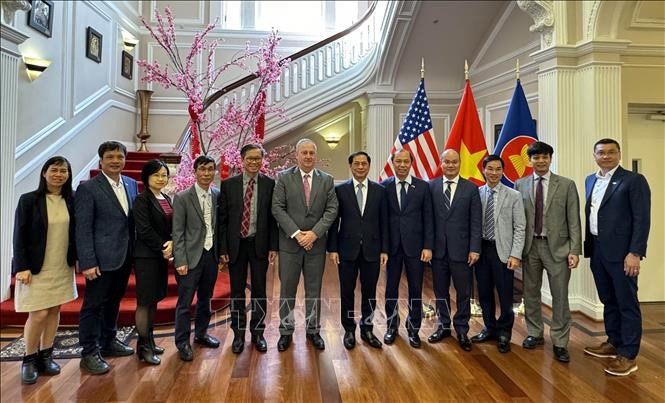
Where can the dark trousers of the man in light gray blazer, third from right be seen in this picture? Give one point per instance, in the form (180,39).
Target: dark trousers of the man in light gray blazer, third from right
(492,273)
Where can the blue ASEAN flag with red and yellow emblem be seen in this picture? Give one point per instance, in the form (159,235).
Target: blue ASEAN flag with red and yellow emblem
(517,134)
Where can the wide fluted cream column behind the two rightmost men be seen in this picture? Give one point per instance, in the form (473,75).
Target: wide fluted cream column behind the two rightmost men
(579,103)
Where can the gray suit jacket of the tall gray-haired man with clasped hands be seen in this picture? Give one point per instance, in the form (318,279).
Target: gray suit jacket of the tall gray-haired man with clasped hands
(293,214)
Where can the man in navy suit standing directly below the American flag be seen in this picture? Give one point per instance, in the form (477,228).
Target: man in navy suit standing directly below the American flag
(411,237)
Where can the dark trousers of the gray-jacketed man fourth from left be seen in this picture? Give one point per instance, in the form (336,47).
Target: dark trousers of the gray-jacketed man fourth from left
(200,280)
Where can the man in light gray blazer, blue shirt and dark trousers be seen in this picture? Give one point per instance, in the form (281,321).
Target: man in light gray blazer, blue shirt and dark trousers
(503,240)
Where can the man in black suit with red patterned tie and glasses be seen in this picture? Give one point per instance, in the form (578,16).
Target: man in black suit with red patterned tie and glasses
(248,234)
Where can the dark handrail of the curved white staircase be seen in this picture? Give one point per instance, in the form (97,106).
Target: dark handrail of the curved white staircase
(181,144)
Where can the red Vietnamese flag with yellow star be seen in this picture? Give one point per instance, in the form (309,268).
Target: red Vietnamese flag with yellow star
(466,137)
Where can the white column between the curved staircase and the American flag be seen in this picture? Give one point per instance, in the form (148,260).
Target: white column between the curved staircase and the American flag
(380,134)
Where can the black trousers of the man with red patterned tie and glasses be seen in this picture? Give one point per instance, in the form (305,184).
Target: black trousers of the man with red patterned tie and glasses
(238,273)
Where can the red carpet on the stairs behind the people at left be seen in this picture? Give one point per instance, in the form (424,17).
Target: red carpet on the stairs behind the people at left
(69,313)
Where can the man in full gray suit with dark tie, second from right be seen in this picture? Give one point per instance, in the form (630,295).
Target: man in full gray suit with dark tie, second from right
(553,243)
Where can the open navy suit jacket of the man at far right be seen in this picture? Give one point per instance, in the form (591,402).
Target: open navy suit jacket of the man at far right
(624,216)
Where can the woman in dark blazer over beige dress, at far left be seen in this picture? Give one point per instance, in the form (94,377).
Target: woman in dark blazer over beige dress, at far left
(44,258)
